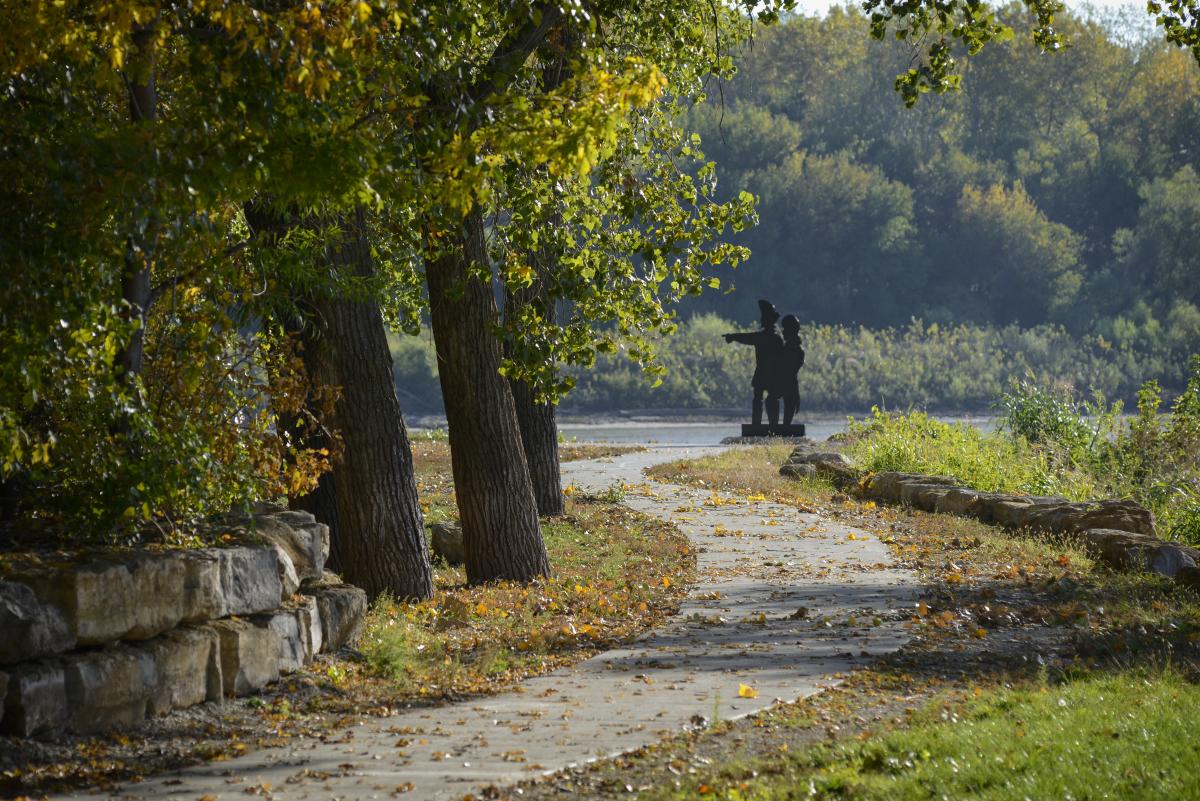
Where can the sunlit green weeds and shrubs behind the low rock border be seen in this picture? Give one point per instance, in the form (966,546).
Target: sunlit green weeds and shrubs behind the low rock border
(1052,443)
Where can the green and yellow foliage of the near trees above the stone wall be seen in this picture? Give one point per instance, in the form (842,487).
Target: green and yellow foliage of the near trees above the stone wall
(230,191)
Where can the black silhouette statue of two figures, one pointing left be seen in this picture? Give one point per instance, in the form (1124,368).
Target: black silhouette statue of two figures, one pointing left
(778,362)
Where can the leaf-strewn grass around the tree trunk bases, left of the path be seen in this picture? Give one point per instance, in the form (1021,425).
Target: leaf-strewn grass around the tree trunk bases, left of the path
(616,574)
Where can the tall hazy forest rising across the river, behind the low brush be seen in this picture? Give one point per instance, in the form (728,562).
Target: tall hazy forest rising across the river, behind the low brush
(1055,190)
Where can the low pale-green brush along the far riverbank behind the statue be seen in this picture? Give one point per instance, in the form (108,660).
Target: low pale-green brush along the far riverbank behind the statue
(919,366)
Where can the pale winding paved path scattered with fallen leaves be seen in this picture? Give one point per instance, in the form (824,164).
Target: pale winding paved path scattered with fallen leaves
(784,604)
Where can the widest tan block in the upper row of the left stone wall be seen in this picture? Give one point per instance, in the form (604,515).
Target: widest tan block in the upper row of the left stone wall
(119,597)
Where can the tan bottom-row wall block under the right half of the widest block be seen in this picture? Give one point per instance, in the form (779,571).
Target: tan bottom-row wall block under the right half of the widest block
(188,663)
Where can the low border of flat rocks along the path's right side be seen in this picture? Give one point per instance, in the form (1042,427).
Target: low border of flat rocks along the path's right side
(1119,533)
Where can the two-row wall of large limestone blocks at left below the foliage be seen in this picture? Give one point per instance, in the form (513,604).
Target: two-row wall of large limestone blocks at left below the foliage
(109,641)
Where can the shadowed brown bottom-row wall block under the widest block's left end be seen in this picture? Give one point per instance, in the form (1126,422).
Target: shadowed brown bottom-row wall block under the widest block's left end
(110,689)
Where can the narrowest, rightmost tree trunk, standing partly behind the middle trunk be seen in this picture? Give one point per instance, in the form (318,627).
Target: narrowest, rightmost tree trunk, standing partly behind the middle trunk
(539,431)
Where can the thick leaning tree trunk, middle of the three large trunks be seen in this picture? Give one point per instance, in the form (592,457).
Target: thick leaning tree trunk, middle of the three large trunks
(502,537)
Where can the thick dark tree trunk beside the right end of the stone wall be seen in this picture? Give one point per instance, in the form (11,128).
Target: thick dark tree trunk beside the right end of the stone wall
(381,532)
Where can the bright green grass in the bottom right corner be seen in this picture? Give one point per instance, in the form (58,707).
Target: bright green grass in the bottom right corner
(1113,737)
